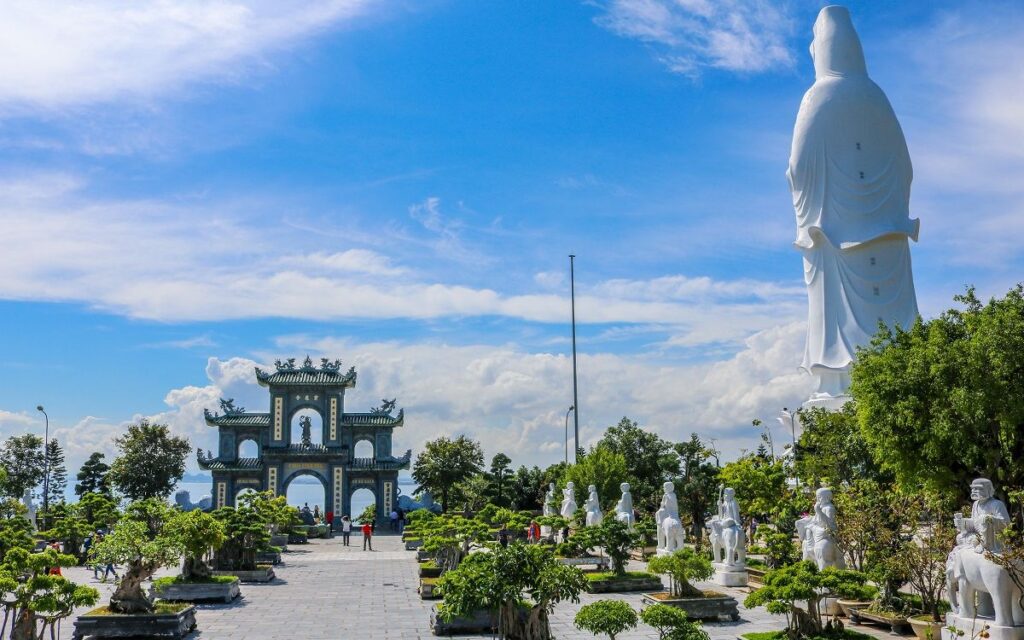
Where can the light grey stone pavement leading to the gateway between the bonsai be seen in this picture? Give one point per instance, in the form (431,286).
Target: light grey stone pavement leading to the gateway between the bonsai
(327,591)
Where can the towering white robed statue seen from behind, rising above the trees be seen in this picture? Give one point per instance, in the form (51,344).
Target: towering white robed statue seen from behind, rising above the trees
(850,178)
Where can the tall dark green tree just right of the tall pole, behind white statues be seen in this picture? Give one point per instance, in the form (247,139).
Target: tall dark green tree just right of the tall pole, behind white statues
(652,461)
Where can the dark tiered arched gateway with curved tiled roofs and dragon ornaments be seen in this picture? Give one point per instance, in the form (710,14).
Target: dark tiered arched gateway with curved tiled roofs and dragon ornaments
(322,390)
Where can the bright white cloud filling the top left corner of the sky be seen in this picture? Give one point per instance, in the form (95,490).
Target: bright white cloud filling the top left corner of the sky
(60,55)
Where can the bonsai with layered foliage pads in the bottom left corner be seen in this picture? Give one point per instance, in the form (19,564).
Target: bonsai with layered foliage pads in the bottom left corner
(33,601)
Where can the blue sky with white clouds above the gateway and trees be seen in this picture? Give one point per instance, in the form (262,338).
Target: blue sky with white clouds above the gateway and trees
(191,189)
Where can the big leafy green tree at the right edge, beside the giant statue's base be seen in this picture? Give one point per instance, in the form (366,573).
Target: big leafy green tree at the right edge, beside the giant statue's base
(943,402)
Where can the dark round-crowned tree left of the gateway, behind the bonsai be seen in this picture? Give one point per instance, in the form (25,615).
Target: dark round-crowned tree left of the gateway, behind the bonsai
(151,463)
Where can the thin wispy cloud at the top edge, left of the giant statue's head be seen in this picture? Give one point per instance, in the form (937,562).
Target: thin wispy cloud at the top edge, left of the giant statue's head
(748,36)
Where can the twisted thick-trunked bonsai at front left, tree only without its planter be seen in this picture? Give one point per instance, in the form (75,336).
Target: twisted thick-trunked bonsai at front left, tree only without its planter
(140,543)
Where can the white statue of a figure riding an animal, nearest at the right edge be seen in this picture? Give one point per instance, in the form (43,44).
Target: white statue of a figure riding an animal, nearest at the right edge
(982,592)
